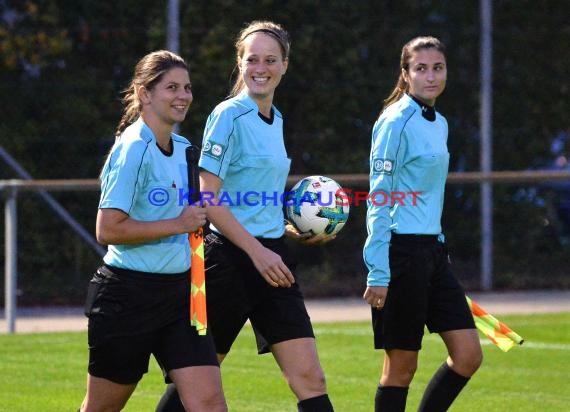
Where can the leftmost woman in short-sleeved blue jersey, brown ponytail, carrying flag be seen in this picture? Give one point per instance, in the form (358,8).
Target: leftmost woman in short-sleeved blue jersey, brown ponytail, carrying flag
(137,301)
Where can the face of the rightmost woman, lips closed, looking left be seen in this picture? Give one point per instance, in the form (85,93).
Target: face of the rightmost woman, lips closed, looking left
(426,75)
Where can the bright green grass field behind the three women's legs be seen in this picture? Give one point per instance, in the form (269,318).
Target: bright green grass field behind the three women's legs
(46,372)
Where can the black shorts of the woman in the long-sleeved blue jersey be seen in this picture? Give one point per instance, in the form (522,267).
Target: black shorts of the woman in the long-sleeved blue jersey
(422,292)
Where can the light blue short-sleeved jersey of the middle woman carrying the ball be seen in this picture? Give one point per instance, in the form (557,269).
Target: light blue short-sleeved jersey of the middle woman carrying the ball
(248,154)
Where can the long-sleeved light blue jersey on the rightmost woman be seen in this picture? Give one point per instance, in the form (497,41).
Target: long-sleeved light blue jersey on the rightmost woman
(408,158)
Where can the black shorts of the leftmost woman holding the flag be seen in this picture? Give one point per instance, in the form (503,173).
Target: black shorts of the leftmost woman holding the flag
(135,314)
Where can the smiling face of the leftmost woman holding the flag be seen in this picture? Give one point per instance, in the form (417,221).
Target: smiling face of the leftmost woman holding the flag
(167,102)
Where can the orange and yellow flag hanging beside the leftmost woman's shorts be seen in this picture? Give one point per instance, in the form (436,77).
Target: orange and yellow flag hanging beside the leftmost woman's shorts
(198,316)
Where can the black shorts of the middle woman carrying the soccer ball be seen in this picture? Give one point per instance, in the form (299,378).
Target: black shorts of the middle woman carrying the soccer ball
(236,292)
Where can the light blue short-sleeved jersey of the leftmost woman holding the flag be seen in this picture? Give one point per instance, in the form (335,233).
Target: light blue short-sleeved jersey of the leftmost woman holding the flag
(139,179)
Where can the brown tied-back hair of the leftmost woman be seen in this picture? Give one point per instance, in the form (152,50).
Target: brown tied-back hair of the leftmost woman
(148,72)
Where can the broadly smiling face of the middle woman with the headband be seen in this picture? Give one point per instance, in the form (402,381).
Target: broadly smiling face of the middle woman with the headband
(262,65)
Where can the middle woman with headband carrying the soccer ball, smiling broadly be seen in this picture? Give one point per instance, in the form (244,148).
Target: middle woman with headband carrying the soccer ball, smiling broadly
(249,269)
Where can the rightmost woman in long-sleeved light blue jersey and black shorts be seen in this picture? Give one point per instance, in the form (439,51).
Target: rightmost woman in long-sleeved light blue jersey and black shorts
(410,284)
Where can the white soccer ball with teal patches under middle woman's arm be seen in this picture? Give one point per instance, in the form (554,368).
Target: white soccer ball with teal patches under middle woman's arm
(314,206)
